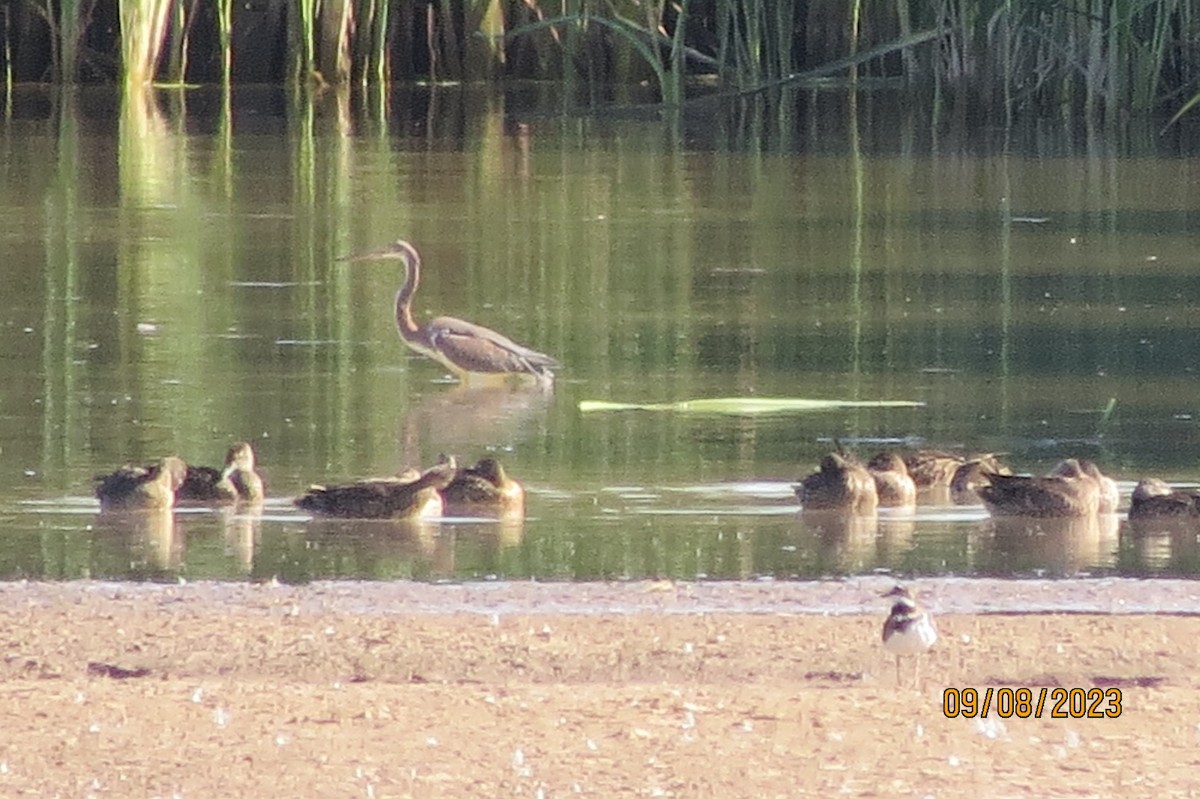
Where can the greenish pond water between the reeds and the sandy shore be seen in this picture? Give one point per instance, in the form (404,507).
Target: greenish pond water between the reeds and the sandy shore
(171,285)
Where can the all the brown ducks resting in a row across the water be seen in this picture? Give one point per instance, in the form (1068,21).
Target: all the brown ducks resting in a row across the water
(1076,488)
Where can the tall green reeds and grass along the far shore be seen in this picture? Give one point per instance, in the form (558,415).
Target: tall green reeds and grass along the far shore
(1081,57)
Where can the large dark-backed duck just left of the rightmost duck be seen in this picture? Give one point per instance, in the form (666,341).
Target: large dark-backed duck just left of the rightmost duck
(1067,491)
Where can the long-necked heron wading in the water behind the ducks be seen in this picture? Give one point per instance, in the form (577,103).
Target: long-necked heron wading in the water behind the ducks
(460,346)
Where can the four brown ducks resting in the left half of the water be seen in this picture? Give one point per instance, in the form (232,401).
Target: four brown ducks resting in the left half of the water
(482,490)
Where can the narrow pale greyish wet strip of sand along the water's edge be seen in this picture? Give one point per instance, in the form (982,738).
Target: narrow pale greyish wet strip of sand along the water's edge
(829,598)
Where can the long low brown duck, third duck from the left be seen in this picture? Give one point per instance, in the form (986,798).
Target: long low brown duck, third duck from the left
(409,496)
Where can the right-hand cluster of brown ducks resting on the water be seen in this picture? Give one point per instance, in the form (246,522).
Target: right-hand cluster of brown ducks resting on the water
(1075,489)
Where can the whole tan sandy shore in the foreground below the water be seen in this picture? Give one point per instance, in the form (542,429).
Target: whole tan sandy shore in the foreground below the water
(559,690)
